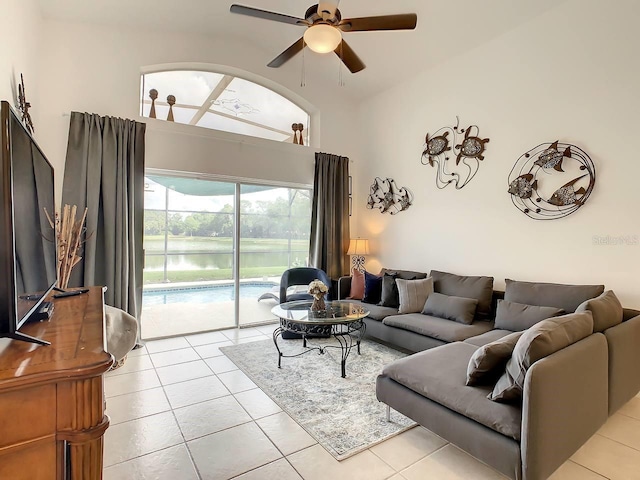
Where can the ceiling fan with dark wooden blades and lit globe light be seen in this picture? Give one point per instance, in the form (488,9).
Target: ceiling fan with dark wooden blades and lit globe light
(325,26)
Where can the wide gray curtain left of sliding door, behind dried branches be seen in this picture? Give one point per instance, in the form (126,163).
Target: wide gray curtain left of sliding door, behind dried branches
(104,172)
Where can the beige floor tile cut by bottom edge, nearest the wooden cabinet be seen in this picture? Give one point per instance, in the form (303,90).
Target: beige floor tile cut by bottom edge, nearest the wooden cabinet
(169,464)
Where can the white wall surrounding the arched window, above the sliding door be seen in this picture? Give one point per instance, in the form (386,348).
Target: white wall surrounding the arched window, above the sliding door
(97,69)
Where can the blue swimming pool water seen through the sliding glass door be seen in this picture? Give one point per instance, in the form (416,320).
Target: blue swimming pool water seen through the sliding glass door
(205,294)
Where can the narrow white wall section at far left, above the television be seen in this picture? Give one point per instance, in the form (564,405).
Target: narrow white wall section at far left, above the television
(19,41)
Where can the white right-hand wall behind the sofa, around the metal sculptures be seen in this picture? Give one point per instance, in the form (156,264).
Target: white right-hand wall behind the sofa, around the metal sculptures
(571,74)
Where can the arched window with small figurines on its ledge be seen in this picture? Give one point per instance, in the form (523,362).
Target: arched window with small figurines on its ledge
(223,102)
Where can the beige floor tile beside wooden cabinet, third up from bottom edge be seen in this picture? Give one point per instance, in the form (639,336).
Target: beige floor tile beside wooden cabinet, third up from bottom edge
(137,405)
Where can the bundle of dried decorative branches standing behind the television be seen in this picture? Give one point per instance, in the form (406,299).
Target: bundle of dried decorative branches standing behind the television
(69,233)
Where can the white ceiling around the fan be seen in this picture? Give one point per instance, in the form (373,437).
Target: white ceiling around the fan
(446,28)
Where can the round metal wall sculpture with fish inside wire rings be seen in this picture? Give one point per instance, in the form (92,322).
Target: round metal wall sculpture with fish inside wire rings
(552,180)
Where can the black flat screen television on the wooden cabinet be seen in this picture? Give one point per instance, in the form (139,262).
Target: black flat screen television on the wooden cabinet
(28,254)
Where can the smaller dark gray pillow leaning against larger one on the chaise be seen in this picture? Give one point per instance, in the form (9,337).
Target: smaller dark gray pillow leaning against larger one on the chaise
(487,363)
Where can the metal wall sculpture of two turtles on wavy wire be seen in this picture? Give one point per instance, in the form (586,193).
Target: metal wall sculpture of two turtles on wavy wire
(469,150)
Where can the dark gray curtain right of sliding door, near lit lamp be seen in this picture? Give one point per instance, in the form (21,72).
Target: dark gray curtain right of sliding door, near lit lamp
(330,215)
